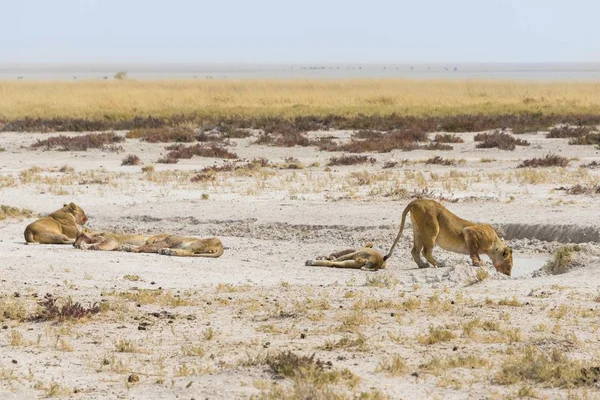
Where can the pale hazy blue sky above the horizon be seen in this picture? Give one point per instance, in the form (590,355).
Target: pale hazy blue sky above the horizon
(298,31)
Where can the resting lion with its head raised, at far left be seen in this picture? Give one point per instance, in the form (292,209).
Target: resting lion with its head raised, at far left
(60,227)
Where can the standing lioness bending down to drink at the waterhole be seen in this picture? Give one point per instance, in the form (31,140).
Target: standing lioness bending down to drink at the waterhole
(433,224)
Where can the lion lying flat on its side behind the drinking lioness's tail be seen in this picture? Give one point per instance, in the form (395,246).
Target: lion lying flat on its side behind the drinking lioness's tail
(364,258)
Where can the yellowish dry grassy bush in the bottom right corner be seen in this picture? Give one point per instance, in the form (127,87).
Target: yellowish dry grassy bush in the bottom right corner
(554,369)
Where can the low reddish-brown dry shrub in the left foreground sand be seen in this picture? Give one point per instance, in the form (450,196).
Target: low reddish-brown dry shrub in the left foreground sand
(54,309)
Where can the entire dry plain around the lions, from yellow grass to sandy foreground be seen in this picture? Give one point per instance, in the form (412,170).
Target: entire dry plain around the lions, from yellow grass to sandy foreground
(282,172)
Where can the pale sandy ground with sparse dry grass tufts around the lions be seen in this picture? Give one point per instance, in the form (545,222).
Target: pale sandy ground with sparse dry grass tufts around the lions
(202,328)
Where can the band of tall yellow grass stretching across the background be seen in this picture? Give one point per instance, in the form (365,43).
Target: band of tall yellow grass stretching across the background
(288,98)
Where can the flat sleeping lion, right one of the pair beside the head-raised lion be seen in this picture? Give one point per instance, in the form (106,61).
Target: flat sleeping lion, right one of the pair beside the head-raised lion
(173,245)
